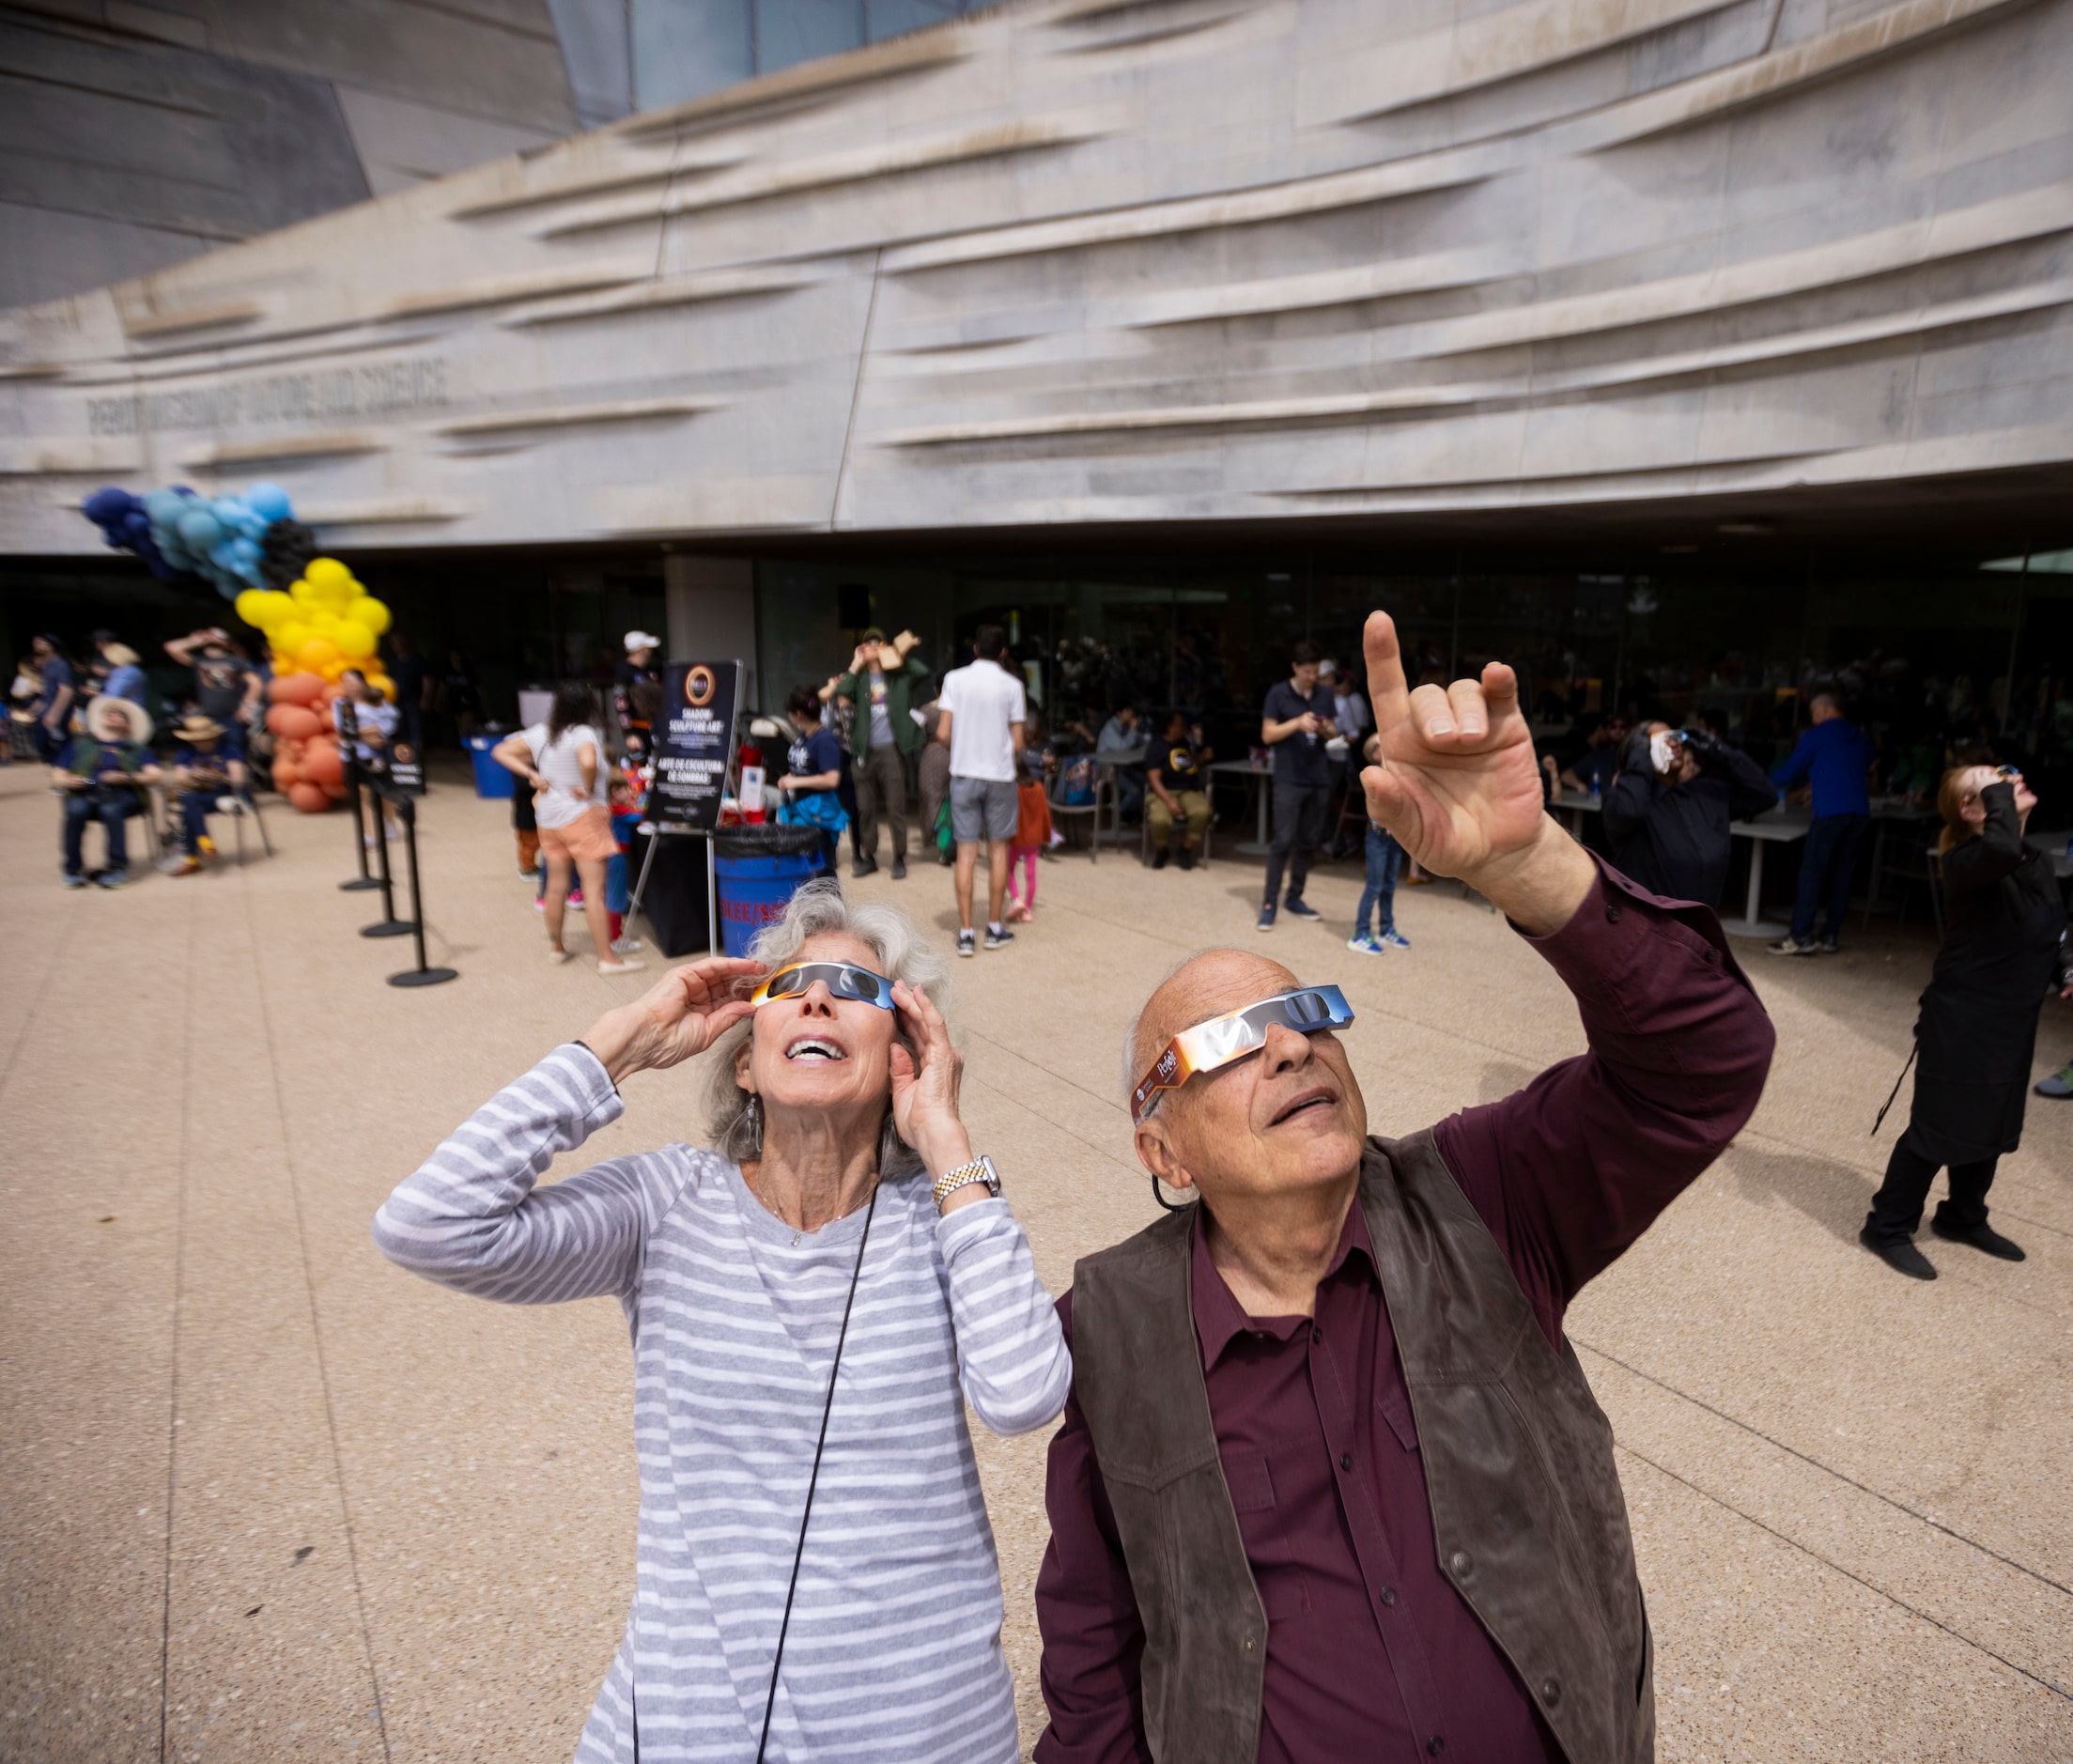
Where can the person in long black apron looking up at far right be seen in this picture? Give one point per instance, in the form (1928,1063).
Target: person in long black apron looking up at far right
(2004,952)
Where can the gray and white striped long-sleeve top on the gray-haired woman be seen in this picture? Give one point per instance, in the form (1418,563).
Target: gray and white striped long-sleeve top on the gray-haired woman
(897,1630)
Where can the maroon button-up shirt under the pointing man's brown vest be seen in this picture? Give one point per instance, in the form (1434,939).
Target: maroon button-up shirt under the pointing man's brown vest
(1371,1653)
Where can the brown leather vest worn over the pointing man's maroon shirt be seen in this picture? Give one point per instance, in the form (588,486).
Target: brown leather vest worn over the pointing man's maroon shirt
(1527,1510)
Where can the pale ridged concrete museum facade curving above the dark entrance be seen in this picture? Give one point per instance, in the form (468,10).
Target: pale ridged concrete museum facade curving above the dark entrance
(1210,260)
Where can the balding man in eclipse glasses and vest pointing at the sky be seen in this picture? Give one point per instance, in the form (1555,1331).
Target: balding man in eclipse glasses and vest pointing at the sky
(1332,1483)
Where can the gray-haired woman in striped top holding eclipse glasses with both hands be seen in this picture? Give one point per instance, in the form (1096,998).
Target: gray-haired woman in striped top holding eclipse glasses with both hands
(812,1307)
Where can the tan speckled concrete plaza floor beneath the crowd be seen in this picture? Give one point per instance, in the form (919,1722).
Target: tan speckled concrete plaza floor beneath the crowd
(266,1498)
